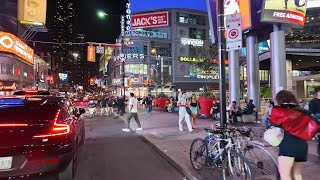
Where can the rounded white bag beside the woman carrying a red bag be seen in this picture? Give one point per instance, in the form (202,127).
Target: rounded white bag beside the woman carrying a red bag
(273,136)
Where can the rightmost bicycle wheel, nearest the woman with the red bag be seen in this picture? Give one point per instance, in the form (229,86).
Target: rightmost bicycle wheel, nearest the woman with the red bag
(263,164)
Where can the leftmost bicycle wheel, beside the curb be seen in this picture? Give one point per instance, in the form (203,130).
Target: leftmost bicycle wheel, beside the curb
(198,153)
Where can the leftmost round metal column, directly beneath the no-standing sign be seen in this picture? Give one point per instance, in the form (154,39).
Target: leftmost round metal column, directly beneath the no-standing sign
(234,76)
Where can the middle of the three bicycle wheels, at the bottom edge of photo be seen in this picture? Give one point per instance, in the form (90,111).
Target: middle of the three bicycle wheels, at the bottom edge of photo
(236,167)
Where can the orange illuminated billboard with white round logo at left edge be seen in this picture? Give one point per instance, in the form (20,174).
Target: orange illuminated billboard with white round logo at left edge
(11,44)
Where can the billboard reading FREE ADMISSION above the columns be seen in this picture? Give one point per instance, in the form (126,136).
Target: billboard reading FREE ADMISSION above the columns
(285,11)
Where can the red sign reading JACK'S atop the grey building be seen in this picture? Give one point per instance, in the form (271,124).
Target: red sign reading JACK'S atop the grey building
(150,20)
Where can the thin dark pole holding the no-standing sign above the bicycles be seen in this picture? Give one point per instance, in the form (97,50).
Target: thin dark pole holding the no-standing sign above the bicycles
(222,57)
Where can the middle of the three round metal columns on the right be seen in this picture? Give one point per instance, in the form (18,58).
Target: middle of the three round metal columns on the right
(253,70)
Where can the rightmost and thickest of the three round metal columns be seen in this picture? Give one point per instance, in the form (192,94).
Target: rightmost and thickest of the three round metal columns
(278,61)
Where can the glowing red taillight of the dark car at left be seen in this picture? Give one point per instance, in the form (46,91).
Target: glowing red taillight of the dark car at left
(57,129)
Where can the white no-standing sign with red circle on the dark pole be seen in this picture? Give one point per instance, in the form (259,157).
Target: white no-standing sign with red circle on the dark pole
(234,32)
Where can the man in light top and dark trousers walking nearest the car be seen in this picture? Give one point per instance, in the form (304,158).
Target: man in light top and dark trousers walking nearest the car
(133,109)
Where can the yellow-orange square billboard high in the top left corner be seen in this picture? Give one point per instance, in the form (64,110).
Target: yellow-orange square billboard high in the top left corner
(32,11)
